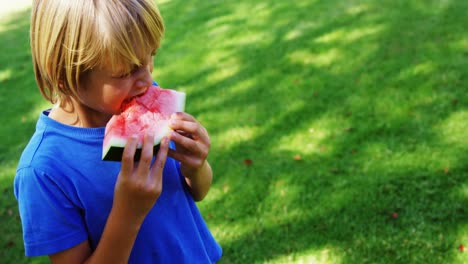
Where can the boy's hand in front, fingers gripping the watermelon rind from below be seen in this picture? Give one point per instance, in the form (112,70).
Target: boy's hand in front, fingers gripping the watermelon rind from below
(139,184)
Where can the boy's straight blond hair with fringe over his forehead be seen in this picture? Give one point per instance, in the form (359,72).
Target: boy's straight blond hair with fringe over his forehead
(69,38)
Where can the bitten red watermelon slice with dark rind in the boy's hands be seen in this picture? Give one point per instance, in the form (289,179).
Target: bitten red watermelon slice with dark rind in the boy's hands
(149,113)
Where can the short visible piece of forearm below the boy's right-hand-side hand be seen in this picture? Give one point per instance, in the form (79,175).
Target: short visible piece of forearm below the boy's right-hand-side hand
(198,180)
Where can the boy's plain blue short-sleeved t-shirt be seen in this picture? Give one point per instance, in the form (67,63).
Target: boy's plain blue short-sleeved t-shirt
(65,194)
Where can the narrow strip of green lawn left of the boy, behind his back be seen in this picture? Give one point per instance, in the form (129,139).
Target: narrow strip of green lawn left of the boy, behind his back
(19,97)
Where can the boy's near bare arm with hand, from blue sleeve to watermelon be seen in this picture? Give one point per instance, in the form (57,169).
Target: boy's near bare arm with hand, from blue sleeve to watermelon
(137,188)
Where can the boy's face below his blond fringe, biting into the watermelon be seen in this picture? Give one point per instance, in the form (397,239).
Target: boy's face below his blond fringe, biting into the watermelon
(103,91)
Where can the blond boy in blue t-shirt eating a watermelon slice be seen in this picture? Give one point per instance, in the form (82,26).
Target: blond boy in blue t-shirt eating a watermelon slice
(89,57)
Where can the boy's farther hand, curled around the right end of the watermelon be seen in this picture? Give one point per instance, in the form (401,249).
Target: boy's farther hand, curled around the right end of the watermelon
(191,139)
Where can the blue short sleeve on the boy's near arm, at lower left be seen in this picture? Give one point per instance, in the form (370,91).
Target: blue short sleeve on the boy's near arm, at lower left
(51,221)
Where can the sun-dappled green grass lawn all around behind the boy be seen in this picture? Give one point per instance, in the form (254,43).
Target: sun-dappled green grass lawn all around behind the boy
(349,111)
